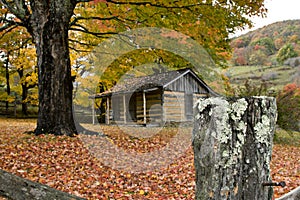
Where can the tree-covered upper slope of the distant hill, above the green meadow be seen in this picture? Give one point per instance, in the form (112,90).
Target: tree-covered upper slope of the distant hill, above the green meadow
(275,44)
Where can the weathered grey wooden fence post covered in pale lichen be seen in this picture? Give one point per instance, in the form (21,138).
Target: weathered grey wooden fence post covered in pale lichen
(232,142)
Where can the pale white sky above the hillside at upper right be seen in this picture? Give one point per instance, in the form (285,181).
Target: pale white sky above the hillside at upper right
(278,10)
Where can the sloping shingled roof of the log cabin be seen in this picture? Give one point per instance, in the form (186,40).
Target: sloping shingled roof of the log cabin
(152,82)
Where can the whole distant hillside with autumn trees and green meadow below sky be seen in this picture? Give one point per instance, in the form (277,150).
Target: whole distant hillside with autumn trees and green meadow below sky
(269,55)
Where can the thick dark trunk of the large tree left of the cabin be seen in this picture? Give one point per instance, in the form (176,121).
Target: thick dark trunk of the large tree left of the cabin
(49,25)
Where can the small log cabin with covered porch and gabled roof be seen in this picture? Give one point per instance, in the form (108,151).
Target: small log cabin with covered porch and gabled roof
(155,99)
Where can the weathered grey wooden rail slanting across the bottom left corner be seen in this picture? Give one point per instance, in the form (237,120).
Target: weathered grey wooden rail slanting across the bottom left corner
(17,188)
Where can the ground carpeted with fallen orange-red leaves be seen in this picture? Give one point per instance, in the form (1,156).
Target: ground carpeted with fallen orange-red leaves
(76,165)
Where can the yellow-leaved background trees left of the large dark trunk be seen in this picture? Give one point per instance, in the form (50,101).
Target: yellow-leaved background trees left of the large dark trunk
(18,59)
